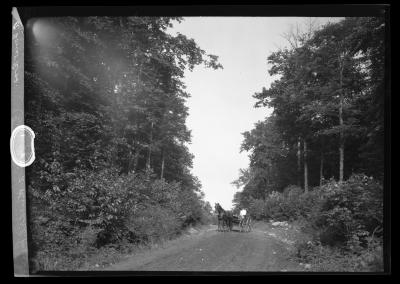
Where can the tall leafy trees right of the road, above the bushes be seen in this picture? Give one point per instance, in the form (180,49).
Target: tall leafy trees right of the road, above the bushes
(324,97)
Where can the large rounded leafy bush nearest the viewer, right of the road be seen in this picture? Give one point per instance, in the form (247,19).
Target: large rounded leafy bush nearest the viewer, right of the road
(351,211)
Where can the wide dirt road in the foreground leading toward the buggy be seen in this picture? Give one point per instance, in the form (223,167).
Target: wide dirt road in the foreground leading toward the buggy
(209,250)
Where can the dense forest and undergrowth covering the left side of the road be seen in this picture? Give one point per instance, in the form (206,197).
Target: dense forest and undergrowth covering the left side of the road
(106,100)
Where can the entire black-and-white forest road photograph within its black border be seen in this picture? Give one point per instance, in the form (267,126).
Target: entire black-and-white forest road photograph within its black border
(199,143)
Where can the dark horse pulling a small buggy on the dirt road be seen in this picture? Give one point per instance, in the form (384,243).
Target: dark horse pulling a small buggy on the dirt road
(226,220)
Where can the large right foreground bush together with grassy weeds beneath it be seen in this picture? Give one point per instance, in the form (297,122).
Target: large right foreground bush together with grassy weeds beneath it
(348,220)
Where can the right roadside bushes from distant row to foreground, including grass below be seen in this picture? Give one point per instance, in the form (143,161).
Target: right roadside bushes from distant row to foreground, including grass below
(343,221)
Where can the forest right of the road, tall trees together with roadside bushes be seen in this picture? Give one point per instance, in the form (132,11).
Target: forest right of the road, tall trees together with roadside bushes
(320,156)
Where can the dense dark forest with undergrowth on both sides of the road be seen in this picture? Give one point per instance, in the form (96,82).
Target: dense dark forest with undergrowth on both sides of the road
(106,99)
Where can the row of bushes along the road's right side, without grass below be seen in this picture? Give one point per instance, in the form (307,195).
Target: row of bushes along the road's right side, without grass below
(343,214)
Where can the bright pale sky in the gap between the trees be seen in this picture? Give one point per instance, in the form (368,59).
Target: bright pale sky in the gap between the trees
(221,106)
